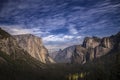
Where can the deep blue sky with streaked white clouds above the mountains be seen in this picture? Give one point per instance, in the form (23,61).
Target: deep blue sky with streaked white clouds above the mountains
(60,23)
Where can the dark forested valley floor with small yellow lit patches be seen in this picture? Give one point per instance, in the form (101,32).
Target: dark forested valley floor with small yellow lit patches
(105,68)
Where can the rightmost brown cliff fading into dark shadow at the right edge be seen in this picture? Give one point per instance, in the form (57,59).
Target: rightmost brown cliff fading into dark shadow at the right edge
(108,44)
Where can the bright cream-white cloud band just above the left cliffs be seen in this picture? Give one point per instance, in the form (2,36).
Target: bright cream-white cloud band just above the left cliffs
(17,30)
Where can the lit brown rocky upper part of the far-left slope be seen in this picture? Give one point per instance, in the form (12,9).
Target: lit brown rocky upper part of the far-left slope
(9,45)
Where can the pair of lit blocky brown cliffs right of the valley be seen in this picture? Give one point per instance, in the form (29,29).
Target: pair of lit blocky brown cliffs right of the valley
(97,47)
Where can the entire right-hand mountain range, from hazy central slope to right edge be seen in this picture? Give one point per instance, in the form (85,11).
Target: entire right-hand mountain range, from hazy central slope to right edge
(91,48)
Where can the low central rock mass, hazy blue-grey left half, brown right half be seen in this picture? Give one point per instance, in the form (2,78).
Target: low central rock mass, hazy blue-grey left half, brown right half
(72,54)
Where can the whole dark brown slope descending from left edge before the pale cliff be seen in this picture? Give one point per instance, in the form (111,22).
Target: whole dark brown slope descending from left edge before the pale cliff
(12,53)
